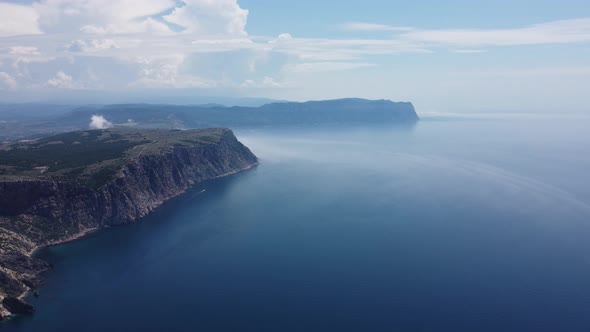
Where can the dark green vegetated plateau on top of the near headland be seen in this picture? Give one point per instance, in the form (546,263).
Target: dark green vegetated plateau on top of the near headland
(92,156)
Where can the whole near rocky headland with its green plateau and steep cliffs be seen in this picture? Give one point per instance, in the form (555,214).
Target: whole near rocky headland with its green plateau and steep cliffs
(64,203)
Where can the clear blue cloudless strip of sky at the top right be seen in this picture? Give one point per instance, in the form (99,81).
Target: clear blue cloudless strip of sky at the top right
(268,16)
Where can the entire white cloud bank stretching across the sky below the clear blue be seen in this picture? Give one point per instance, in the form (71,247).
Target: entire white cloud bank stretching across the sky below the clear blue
(52,46)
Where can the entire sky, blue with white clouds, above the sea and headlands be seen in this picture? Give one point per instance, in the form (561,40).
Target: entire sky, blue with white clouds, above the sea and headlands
(444,56)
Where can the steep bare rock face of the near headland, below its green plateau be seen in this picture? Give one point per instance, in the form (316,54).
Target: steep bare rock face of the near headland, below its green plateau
(36,212)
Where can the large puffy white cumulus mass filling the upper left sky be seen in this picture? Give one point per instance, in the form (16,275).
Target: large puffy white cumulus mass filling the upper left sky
(130,33)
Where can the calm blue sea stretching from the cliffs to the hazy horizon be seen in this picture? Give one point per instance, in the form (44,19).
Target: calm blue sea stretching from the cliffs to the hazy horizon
(471,225)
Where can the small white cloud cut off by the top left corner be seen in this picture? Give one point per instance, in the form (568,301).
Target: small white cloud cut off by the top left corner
(18,20)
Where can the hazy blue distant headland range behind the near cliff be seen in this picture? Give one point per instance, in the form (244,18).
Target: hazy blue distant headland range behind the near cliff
(351,111)
